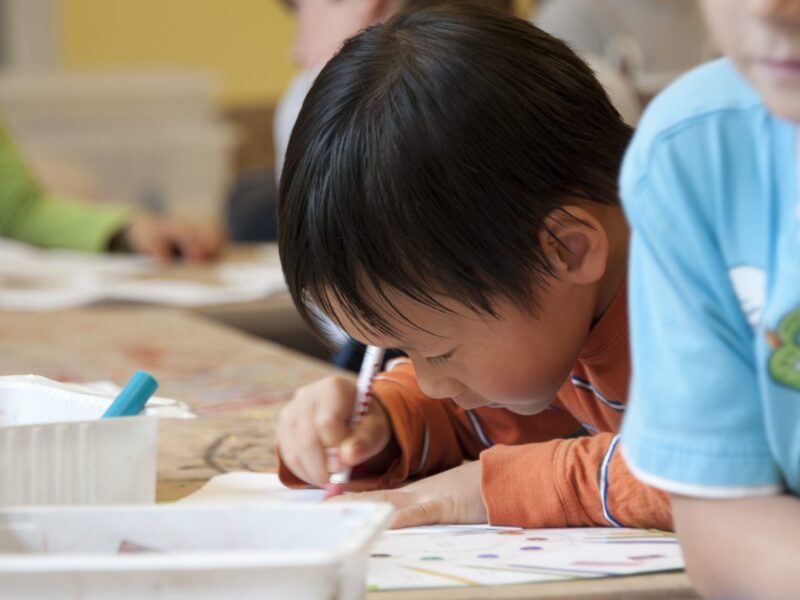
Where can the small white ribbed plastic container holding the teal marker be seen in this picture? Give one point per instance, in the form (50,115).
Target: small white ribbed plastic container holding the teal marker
(55,449)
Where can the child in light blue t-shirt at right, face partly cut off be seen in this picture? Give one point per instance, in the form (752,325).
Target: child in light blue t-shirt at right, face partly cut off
(715,310)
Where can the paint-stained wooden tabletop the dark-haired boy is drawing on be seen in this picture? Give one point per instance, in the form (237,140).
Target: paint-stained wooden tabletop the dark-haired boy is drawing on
(235,383)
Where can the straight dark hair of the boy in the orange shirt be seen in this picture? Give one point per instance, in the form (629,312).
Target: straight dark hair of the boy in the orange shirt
(426,157)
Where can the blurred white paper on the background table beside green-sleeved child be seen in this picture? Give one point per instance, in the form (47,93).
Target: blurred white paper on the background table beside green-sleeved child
(36,279)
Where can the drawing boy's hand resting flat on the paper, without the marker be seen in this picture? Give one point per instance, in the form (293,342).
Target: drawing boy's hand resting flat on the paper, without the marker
(450,497)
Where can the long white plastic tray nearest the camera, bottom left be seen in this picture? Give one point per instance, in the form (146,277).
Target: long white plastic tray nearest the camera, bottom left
(245,552)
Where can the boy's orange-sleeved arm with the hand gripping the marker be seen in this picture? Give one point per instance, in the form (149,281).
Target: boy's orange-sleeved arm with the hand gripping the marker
(427,435)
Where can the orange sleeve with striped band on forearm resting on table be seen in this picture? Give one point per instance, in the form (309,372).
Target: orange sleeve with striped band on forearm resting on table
(580,482)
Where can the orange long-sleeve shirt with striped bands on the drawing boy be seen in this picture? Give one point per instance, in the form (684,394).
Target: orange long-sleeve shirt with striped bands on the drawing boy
(537,470)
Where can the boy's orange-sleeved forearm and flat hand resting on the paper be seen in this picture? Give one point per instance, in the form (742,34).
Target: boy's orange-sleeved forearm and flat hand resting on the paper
(560,483)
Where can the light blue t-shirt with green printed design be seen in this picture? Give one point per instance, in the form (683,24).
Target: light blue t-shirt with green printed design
(710,186)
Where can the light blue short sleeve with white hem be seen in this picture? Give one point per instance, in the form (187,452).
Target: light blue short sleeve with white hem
(694,424)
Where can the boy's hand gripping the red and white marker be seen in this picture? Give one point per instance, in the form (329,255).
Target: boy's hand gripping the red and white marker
(318,418)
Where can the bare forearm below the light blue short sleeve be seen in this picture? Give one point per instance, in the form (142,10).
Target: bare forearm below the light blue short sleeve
(743,548)
